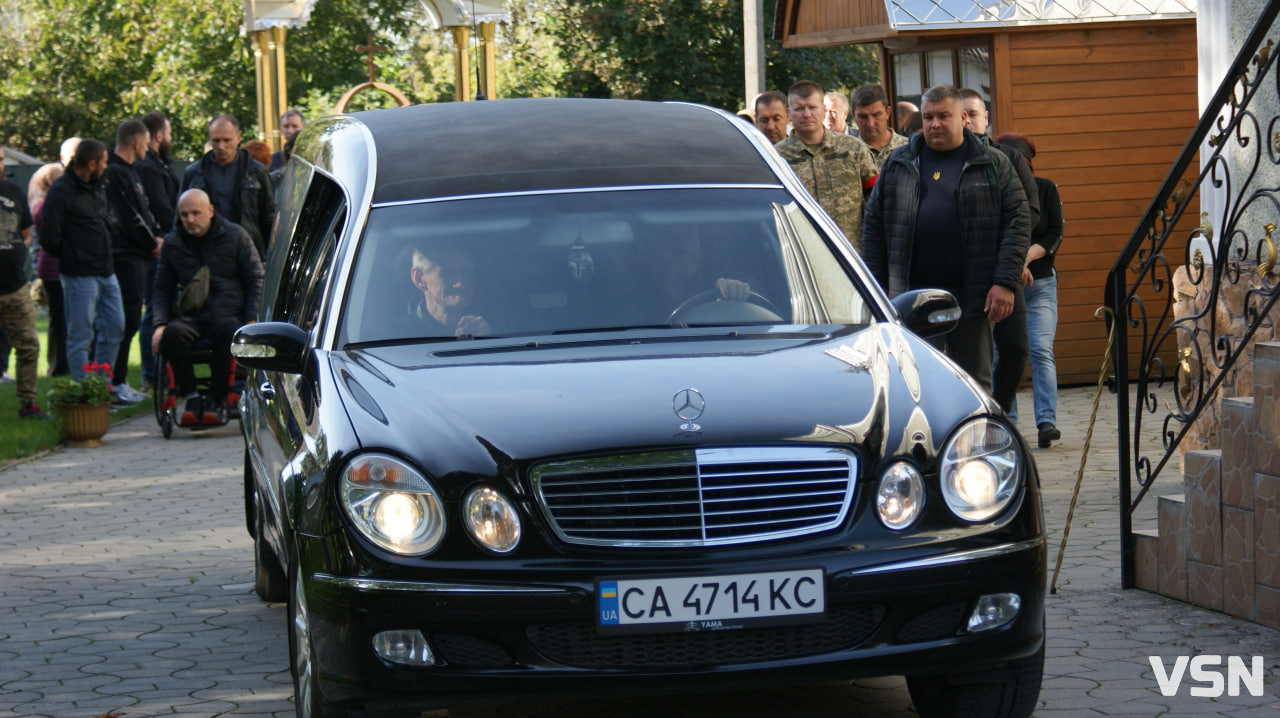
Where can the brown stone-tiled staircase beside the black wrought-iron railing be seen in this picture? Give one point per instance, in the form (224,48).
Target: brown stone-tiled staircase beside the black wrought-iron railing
(1218,545)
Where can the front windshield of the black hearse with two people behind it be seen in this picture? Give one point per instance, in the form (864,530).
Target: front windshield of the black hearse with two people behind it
(540,264)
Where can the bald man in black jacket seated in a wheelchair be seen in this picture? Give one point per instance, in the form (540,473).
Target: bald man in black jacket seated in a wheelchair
(185,313)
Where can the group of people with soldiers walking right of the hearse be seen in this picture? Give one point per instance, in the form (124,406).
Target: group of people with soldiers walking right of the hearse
(934,202)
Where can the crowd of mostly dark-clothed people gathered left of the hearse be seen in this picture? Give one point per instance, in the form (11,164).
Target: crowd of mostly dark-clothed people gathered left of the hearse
(124,251)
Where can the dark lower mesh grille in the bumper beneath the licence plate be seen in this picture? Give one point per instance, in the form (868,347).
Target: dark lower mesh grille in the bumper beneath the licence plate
(580,646)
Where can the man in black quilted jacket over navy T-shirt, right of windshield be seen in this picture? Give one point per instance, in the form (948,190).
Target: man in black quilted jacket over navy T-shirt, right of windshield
(950,213)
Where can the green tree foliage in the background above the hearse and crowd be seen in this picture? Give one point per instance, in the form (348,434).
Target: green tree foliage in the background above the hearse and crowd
(80,67)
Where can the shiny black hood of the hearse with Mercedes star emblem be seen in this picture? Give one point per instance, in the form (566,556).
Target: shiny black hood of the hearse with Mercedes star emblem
(472,408)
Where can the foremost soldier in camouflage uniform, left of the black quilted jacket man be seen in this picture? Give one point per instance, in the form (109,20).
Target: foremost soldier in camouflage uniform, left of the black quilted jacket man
(836,170)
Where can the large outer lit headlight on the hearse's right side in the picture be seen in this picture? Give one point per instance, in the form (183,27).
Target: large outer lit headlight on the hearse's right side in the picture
(980,470)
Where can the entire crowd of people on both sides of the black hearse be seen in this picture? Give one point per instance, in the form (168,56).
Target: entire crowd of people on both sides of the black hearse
(927,202)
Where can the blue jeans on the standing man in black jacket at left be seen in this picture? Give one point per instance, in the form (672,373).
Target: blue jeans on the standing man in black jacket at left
(93,307)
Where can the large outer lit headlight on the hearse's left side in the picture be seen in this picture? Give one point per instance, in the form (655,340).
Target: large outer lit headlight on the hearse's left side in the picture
(392,505)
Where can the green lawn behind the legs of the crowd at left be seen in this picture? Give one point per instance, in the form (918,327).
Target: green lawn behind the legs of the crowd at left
(21,438)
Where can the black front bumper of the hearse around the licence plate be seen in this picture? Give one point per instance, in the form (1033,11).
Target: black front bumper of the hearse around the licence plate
(497,642)
